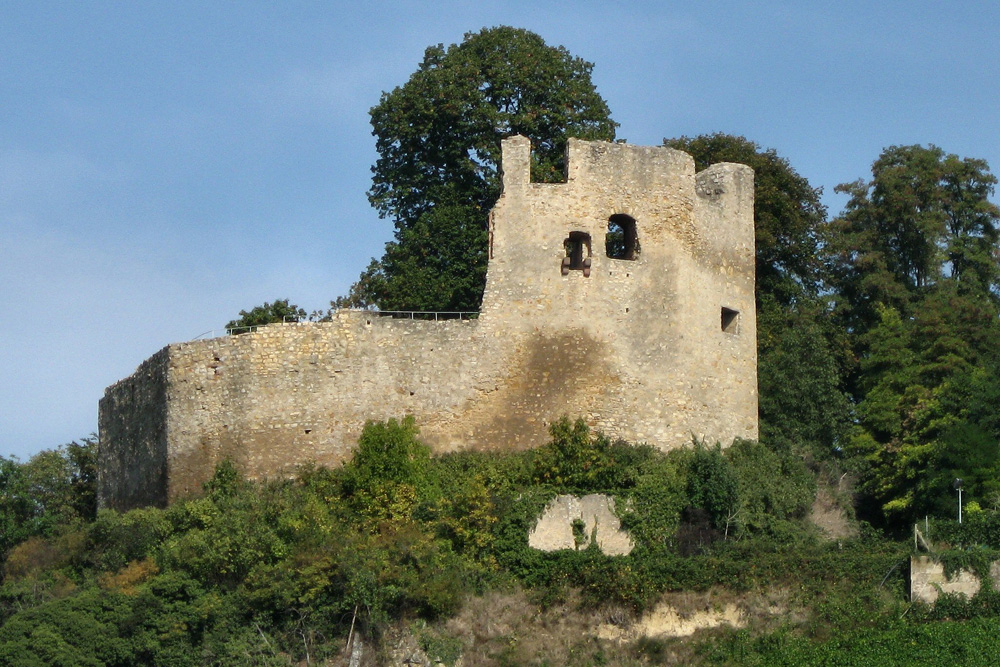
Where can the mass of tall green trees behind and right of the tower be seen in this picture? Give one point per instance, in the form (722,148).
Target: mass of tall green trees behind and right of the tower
(914,276)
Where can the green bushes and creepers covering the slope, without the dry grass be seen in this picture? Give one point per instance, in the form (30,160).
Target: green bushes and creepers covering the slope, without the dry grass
(270,573)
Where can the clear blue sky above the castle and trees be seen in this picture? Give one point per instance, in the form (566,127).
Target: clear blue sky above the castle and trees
(165,165)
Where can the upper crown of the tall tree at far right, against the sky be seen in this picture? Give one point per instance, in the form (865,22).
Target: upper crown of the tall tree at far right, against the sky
(924,216)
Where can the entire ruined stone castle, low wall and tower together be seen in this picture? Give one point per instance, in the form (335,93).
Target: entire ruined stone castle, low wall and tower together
(648,333)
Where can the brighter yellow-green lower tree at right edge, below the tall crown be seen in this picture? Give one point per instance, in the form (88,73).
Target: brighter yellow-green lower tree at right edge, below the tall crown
(923,416)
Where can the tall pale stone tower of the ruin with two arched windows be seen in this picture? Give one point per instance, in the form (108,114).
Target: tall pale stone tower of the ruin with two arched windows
(659,366)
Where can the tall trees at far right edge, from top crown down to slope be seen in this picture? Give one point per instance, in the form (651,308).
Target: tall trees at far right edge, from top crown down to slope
(915,270)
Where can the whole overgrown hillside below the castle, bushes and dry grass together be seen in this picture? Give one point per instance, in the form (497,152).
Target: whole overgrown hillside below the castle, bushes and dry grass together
(399,543)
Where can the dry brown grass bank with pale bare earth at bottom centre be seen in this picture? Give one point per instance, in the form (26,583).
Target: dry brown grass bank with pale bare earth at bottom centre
(506,629)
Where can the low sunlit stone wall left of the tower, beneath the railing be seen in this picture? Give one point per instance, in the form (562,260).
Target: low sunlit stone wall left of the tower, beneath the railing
(290,393)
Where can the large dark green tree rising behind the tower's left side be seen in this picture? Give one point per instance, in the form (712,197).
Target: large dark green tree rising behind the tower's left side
(438,139)
